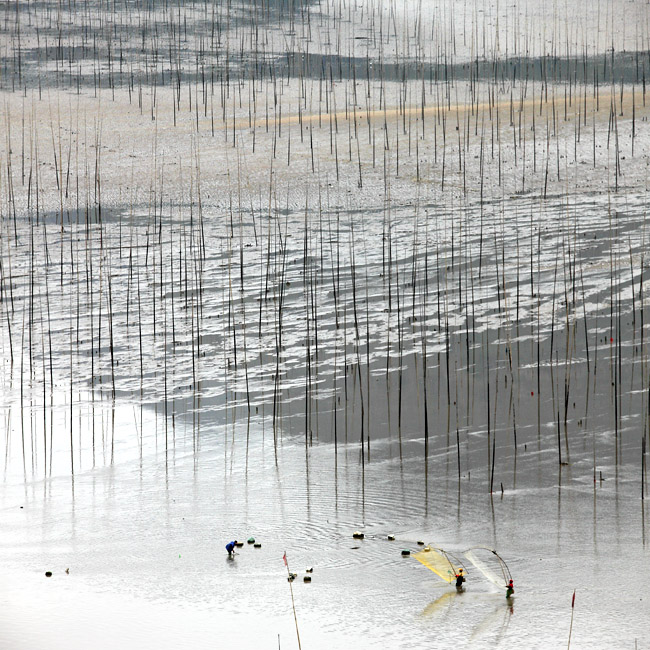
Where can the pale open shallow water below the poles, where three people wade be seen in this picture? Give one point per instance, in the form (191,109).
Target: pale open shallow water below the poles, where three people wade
(144,544)
